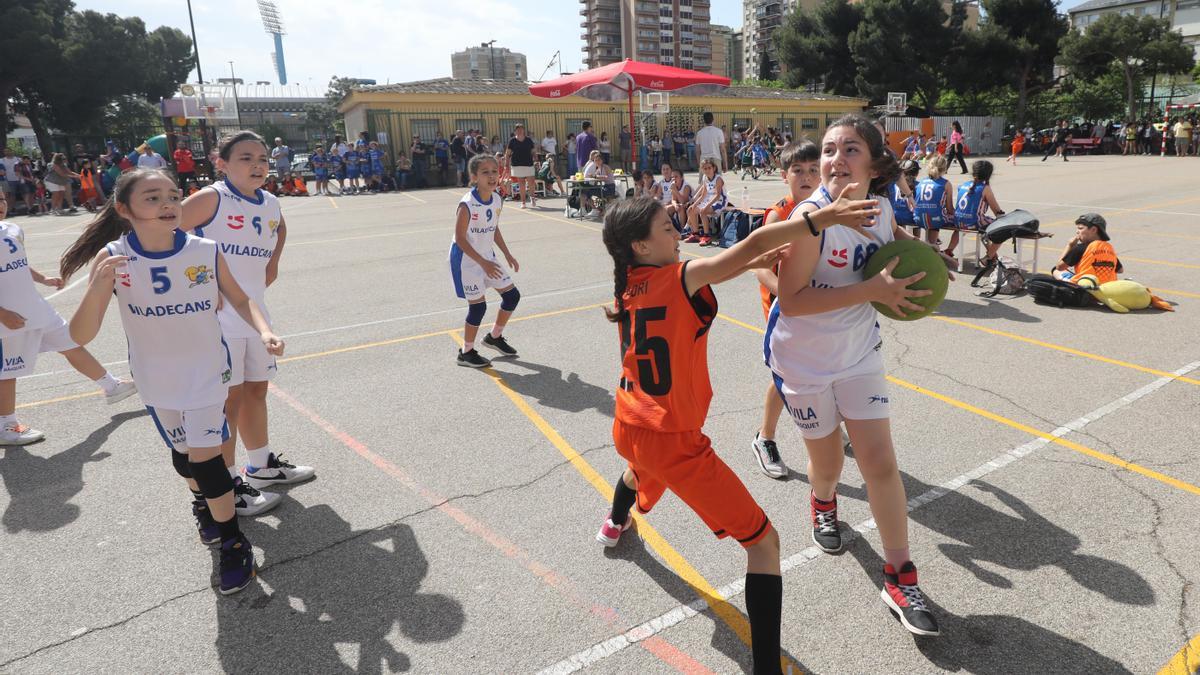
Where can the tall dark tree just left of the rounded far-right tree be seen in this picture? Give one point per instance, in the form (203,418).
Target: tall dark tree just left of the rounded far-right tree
(1022,40)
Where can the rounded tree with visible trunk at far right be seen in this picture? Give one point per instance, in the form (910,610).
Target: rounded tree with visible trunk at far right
(1137,45)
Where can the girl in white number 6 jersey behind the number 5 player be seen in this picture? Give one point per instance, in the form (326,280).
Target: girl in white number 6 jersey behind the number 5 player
(248,225)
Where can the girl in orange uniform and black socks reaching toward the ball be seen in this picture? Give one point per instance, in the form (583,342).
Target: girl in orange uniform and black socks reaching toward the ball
(664,310)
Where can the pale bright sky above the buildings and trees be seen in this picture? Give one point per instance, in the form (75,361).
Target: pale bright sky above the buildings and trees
(385,40)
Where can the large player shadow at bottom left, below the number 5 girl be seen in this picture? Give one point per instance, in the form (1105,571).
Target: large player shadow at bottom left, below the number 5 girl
(337,610)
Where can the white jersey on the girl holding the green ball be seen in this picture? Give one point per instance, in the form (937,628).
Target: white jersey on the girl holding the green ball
(817,350)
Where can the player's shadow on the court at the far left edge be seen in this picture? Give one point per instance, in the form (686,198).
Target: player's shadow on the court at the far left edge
(40,489)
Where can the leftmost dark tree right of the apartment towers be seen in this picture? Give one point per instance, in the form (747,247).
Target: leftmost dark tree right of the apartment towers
(815,47)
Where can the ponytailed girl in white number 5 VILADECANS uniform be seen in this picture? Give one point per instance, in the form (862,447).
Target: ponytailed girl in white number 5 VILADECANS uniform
(169,286)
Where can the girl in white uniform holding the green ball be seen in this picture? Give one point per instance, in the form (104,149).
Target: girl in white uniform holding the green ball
(824,347)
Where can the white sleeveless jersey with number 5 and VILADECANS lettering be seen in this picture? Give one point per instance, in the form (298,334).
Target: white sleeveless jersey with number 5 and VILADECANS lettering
(169,304)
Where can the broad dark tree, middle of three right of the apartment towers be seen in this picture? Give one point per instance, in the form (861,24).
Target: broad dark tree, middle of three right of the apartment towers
(901,46)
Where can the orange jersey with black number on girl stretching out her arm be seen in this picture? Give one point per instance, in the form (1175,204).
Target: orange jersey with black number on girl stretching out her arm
(664,351)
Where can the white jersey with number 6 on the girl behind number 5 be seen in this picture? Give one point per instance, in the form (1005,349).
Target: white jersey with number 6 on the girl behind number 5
(244,228)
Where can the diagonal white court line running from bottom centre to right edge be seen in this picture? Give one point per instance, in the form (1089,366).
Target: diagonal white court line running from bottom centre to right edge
(681,613)
